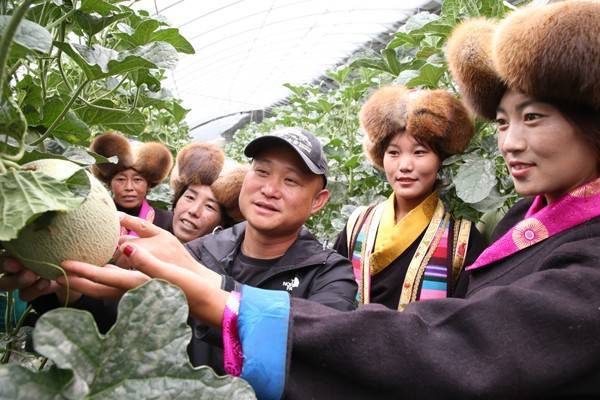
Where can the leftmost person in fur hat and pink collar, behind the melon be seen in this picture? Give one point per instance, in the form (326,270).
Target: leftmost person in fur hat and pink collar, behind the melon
(137,171)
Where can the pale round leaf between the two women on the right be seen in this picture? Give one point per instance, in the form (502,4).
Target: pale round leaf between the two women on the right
(475,180)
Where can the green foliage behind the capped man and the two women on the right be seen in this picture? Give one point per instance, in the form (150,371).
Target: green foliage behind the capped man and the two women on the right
(474,183)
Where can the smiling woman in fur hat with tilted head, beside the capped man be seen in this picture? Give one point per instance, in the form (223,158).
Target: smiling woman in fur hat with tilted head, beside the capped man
(207,188)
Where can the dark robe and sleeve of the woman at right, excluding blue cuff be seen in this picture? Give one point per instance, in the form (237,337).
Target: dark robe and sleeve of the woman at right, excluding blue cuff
(528,328)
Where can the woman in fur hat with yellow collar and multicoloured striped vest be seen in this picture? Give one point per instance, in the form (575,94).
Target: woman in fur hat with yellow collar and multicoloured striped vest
(409,248)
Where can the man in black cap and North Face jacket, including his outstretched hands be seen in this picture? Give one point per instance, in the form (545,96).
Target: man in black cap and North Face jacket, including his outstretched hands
(272,249)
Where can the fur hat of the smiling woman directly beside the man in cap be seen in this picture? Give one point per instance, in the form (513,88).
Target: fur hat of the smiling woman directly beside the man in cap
(205,164)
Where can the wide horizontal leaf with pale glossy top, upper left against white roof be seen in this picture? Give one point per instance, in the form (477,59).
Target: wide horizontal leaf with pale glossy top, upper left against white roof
(99,62)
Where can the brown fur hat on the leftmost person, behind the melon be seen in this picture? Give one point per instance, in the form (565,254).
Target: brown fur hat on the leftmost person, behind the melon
(152,160)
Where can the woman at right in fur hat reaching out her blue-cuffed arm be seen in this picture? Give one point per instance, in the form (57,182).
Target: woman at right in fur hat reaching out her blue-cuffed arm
(529,324)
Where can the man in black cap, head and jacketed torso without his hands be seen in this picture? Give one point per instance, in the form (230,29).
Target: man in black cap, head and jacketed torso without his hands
(286,184)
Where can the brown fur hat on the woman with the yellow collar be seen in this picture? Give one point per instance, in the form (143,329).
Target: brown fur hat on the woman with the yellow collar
(434,116)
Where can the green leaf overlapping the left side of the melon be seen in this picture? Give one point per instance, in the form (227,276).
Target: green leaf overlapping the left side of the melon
(25,195)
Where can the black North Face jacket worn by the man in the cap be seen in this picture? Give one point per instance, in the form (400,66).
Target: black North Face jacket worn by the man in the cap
(323,276)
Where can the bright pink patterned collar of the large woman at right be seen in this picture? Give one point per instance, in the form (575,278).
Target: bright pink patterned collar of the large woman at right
(544,221)
